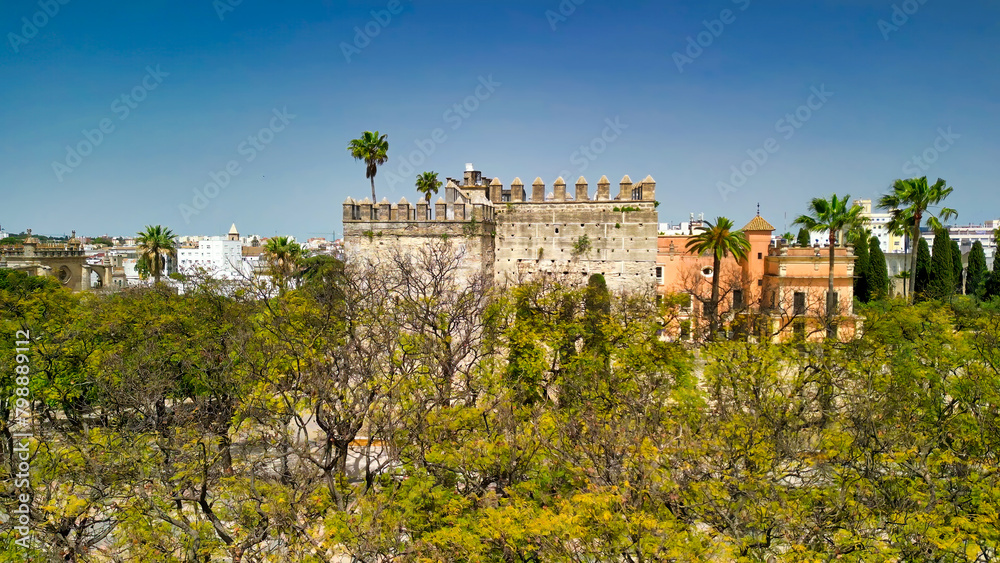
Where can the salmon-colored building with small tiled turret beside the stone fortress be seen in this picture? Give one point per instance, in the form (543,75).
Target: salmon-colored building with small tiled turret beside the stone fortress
(778,292)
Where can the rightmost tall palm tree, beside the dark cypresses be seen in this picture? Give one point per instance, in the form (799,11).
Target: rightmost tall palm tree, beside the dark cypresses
(909,201)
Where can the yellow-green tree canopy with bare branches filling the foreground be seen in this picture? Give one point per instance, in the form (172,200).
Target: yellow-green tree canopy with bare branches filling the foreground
(393,421)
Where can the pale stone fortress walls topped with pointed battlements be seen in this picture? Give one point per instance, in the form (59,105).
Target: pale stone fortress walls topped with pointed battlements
(515,235)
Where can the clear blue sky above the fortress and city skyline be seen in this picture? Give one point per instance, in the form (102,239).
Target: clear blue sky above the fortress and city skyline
(217,81)
